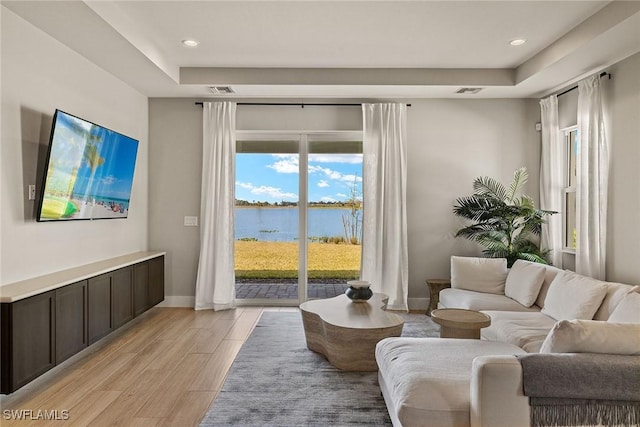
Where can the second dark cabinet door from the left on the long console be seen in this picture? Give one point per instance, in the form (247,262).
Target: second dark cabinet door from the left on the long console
(71,320)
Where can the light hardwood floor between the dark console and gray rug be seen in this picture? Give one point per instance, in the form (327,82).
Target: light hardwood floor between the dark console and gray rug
(163,368)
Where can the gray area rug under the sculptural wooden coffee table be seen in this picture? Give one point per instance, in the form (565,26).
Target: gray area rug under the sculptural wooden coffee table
(276,381)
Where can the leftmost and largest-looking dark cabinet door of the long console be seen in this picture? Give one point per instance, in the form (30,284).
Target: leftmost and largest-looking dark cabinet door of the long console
(32,338)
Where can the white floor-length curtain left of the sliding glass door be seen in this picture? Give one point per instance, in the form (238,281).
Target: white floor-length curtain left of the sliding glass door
(215,285)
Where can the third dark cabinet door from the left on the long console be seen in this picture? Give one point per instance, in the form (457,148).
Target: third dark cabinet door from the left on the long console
(99,307)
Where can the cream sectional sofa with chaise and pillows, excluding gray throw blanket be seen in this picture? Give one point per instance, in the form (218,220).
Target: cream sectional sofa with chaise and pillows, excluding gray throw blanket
(449,382)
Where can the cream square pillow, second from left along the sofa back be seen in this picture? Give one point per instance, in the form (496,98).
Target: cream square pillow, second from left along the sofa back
(524,282)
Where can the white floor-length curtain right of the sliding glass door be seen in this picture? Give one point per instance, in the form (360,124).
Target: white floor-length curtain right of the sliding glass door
(384,239)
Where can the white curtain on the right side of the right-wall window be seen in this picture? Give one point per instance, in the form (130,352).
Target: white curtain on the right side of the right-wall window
(592,181)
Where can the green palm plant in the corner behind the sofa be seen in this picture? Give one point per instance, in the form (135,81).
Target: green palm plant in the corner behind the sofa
(505,222)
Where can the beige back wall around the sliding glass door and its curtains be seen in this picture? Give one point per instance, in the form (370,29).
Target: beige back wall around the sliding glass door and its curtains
(451,142)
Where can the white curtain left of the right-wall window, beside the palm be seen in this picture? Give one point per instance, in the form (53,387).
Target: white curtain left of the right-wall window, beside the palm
(551,179)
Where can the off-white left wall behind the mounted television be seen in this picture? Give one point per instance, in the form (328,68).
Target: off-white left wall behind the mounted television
(39,75)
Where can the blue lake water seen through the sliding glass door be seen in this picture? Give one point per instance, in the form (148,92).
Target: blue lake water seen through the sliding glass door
(281,224)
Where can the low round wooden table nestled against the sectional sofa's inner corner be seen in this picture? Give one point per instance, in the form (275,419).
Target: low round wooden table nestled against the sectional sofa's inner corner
(460,323)
